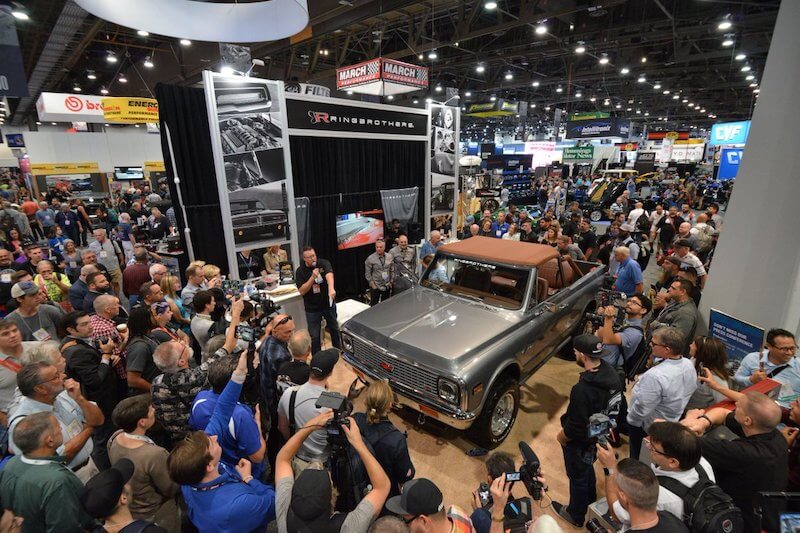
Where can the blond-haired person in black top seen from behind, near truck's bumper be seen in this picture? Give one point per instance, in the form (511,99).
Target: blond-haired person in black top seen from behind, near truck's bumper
(389,443)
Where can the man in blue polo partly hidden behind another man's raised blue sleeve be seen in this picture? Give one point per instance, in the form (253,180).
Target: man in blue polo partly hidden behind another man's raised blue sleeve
(243,437)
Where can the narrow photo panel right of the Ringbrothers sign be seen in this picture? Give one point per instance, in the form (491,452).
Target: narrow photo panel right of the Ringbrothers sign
(442,193)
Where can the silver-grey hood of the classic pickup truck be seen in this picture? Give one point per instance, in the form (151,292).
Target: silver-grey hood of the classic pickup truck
(423,321)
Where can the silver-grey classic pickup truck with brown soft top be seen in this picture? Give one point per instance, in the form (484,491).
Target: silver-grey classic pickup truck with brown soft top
(486,314)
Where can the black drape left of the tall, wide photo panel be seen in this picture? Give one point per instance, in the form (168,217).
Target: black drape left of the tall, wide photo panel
(183,111)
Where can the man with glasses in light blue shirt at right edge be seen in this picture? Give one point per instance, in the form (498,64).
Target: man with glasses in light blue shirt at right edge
(776,362)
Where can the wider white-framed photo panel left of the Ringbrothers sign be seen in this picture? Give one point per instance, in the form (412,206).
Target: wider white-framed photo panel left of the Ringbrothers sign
(250,143)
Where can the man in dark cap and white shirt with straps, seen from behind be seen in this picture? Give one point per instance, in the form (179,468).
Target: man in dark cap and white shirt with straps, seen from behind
(299,405)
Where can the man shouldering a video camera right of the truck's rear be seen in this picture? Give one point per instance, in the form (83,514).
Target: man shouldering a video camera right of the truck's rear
(620,346)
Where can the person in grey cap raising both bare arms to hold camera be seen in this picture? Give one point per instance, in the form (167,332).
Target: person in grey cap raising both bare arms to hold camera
(306,503)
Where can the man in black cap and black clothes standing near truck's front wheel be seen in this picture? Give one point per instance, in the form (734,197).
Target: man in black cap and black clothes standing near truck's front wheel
(596,386)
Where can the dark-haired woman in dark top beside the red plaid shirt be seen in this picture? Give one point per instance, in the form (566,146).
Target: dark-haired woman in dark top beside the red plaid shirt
(142,342)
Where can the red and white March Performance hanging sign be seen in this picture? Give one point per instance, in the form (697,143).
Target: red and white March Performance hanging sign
(381,76)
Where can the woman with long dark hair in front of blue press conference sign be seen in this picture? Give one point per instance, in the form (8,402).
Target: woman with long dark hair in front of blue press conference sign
(709,353)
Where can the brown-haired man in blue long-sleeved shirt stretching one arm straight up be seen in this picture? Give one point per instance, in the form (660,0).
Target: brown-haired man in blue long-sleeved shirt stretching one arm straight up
(218,498)
